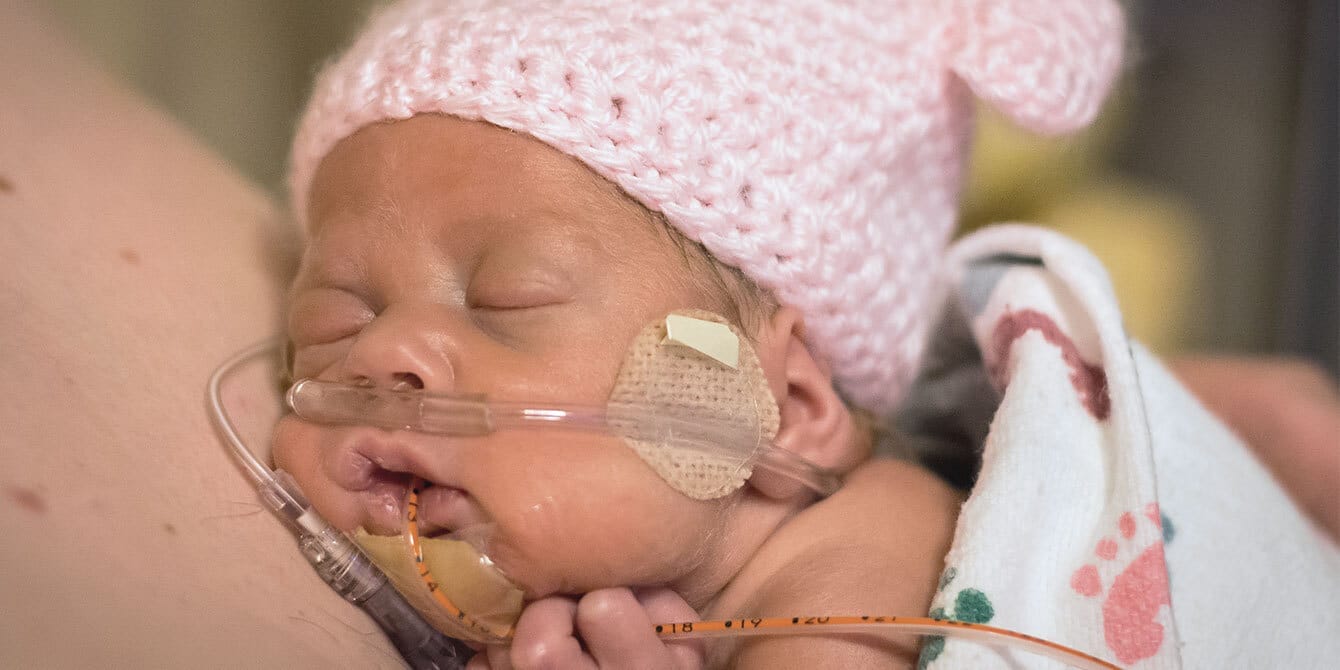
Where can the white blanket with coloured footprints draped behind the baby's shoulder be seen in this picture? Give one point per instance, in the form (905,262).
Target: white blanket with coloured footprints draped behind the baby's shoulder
(1112,513)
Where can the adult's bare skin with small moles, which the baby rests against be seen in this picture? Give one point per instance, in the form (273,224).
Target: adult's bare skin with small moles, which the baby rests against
(132,262)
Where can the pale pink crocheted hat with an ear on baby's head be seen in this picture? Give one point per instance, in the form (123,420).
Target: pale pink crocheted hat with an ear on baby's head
(817,145)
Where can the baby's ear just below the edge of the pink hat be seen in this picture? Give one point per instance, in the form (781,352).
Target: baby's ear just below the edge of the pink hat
(815,423)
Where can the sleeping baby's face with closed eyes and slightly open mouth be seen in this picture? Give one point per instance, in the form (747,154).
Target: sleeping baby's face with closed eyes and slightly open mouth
(459,258)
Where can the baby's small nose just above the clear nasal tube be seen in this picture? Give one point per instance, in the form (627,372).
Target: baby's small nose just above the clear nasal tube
(396,353)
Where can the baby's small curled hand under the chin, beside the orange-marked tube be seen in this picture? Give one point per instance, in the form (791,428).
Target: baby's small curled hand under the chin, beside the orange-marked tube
(606,629)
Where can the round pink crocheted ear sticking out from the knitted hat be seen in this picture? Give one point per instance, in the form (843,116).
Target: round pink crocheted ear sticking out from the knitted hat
(1047,65)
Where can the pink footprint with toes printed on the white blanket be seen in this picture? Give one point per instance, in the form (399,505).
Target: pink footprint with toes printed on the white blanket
(1134,597)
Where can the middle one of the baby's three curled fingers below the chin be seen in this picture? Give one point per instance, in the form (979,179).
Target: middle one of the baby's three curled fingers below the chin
(618,632)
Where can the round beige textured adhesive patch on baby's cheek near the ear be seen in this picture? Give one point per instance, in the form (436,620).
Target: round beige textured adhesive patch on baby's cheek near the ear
(687,376)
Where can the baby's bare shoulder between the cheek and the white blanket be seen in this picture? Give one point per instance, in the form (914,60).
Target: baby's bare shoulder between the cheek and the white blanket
(876,547)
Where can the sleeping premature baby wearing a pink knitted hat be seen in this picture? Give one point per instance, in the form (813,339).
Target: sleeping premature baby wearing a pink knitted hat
(499,198)
